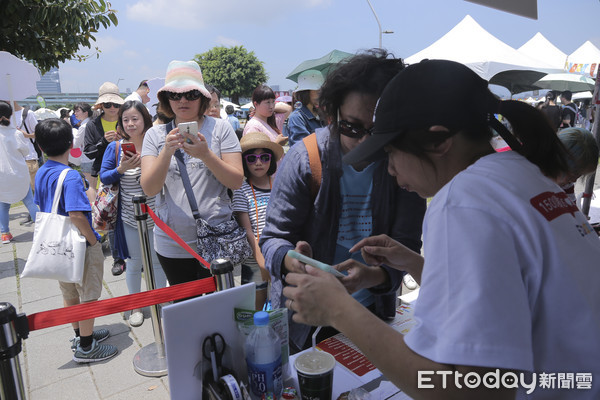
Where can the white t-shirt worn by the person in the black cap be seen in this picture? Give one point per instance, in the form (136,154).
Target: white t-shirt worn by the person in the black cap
(511,277)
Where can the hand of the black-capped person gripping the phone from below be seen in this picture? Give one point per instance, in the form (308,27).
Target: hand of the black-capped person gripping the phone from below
(315,296)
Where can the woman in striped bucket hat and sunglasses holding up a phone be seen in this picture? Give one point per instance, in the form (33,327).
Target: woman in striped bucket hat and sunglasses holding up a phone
(212,154)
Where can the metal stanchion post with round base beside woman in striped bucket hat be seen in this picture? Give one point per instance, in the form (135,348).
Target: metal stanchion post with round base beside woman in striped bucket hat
(150,360)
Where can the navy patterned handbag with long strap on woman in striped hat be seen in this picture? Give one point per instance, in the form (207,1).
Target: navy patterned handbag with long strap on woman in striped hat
(225,240)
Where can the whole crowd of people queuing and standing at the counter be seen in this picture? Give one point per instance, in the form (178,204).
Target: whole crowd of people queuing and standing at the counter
(501,238)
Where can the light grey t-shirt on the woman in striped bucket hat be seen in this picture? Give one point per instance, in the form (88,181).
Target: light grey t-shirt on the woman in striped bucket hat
(172,205)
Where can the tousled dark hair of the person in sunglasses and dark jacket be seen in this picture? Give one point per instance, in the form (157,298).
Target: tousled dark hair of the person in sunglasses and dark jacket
(368,72)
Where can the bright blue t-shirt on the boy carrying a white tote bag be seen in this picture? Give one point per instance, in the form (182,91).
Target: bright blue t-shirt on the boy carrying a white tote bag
(73,197)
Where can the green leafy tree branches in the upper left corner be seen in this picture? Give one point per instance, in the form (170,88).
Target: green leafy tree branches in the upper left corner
(49,32)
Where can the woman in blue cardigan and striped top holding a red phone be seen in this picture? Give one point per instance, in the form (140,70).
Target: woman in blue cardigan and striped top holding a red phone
(133,122)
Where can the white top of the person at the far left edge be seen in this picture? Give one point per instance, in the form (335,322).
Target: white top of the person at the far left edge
(14,174)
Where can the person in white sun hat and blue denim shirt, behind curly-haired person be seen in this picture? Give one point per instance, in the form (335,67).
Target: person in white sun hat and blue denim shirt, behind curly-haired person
(305,120)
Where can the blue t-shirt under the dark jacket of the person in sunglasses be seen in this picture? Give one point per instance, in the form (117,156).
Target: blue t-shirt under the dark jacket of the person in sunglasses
(356,220)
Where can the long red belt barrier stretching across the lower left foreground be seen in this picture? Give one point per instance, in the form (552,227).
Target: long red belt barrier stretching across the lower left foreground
(80,312)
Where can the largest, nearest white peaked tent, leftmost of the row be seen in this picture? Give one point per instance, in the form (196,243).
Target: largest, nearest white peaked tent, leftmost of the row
(468,43)
